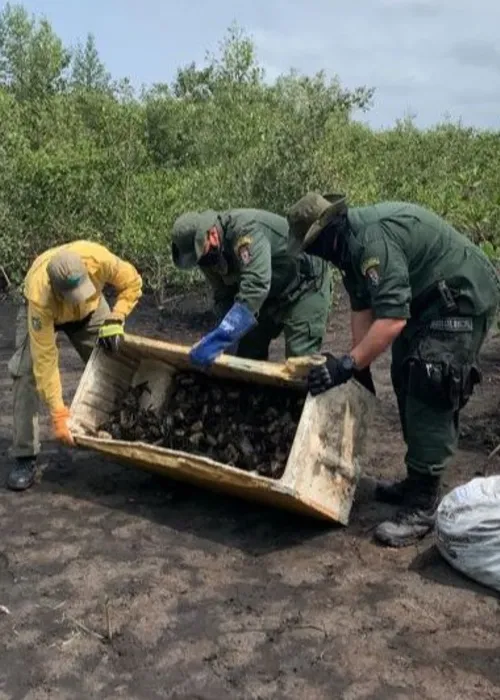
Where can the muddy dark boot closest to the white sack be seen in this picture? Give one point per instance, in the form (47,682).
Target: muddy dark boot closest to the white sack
(416,517)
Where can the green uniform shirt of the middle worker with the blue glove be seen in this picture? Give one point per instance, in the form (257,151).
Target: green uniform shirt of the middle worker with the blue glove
(259,269)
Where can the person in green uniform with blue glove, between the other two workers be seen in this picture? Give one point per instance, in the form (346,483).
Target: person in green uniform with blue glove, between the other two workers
(259,289)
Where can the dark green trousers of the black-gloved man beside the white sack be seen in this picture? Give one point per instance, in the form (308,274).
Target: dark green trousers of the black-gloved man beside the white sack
(430,395)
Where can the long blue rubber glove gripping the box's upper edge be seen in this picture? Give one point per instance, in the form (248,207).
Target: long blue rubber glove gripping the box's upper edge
(235,324)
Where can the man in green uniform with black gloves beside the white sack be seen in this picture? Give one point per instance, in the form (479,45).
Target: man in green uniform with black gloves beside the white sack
(416,283)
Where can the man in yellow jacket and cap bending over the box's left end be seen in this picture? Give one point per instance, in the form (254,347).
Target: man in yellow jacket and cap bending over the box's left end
(63,292)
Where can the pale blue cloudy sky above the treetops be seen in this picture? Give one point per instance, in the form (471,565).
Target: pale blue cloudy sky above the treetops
(430,59)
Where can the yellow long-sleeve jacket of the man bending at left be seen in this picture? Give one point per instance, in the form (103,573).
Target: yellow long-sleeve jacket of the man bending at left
(46,310)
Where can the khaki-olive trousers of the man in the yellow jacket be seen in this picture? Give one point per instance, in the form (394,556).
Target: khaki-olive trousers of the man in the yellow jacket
(26,403)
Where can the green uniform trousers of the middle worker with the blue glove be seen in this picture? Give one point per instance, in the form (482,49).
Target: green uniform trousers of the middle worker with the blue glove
(303,324)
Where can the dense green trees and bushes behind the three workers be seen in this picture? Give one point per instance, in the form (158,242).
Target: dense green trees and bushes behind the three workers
(82,155)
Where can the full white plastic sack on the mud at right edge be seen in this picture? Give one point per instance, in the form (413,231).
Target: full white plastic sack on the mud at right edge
(468,529)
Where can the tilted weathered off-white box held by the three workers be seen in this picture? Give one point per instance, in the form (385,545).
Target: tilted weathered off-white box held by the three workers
(323,466)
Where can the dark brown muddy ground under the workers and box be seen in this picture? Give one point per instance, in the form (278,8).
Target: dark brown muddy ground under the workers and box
(209,598)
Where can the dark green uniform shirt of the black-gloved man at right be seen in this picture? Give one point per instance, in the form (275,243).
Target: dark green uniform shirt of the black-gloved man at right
(397,251)
